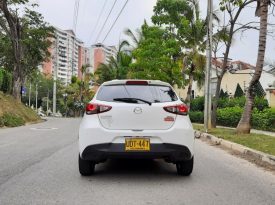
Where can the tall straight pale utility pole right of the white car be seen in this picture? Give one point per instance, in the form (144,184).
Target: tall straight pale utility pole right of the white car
(207,91)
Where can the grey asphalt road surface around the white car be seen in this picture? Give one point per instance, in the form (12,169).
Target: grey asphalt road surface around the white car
(38,165)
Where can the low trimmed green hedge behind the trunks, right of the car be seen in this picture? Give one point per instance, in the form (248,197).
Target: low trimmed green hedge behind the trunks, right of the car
(230,117)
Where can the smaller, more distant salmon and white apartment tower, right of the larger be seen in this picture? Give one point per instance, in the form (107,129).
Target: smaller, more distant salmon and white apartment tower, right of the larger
(101,53)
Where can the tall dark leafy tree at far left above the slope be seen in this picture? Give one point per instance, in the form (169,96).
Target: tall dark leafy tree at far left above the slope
(27,35)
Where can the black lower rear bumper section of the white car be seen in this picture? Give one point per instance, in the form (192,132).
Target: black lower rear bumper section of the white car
(169,152)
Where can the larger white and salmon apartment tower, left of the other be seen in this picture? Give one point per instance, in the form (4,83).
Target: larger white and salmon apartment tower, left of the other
(68,54)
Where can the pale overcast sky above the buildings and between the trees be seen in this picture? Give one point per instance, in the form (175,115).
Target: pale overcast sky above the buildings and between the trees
(60,13)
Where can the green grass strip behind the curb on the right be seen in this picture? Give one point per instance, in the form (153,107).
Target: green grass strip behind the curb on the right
(260,142)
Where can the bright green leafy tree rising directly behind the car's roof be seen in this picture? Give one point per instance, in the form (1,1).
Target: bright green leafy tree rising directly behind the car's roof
(157,57)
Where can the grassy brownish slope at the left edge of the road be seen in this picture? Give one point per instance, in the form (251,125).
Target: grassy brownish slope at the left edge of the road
(13,113)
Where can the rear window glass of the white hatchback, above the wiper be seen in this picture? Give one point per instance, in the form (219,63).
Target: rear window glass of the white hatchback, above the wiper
(151,93)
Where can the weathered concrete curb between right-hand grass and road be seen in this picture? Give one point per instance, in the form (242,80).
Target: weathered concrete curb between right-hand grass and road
(270,159)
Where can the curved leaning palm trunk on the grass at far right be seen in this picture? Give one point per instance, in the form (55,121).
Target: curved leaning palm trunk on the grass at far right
(244,124)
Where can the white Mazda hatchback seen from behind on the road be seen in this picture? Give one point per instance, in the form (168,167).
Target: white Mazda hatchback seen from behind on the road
(136,119)
